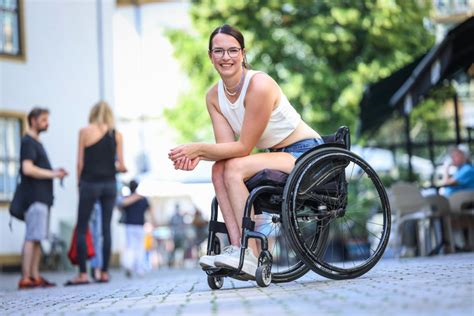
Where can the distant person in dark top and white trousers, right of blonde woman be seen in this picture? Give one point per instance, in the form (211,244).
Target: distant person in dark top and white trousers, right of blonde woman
(134,207)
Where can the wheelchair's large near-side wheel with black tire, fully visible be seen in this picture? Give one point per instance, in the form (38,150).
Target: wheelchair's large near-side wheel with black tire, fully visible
(335,195)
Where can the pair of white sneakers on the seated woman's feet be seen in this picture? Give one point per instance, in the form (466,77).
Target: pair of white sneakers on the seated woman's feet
(230,258)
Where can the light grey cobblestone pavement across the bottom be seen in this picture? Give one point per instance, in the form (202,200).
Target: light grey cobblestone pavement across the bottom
(441,285)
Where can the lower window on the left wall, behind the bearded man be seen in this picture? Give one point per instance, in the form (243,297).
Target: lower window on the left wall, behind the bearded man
(11,128)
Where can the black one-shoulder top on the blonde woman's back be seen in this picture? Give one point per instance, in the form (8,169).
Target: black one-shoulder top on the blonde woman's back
(99,159)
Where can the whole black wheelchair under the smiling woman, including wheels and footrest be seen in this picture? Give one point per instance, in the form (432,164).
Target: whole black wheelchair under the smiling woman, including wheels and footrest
(331,215)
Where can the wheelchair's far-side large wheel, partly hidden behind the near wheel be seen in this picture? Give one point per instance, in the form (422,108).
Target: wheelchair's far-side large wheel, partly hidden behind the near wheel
(286,266)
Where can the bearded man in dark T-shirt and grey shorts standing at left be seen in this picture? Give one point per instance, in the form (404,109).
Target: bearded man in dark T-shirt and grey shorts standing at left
(37,180)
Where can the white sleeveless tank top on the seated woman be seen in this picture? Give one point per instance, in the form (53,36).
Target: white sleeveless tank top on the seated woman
(282,123)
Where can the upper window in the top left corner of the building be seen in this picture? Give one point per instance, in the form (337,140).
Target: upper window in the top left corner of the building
(11,29)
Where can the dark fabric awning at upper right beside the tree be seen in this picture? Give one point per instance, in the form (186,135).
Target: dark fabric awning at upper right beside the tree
(404,89)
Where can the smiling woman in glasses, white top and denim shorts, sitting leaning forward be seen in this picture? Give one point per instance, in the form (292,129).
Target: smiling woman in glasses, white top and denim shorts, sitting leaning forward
(248,109)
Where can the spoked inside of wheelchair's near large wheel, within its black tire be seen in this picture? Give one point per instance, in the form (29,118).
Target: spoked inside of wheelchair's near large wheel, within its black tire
(343,204)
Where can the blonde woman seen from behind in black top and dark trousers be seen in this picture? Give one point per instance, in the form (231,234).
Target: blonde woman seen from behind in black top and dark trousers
(100,156)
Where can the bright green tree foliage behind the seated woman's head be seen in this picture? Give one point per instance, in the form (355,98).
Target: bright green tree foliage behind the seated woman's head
(322,53)
